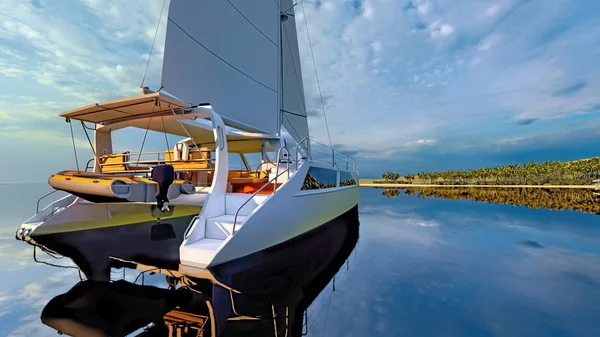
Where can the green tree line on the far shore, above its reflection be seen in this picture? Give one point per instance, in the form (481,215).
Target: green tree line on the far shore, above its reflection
(579,172)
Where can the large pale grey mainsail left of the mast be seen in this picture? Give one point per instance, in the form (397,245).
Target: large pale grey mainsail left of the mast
(224,52)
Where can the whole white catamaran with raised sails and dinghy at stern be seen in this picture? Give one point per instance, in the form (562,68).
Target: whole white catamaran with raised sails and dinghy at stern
(231,87)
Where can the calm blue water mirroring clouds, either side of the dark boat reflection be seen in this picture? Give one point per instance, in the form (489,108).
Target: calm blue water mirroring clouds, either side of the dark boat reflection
(422,267)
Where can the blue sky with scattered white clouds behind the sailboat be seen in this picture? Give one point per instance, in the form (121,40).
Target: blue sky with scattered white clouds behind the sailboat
(408,85)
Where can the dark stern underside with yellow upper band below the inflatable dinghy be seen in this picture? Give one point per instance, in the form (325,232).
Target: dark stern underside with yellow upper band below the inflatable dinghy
(97,246)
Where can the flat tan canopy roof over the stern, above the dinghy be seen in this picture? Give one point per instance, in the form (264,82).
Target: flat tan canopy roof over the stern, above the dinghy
(120,110)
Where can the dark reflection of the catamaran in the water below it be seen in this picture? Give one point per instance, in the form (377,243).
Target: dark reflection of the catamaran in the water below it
(270,298)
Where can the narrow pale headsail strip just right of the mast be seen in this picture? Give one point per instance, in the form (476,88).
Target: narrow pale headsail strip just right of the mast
(294,106)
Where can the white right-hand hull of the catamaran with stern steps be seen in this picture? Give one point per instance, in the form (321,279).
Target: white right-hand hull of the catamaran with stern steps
(288,213)
